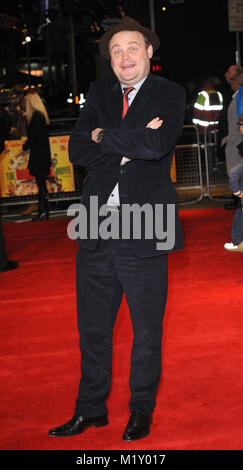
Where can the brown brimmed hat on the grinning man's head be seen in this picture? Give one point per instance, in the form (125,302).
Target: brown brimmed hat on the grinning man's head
(127,24)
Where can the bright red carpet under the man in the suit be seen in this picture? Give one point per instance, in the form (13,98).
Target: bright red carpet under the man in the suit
(200,398)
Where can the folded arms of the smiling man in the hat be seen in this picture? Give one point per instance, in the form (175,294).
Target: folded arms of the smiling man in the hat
(151,142)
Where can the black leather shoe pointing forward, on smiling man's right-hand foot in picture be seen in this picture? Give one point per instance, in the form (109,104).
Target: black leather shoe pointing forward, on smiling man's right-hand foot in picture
(138,426)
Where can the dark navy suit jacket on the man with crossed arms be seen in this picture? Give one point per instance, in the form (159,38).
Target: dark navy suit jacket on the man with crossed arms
(146,178)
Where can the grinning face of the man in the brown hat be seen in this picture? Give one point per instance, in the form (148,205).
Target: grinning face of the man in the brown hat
(130,58)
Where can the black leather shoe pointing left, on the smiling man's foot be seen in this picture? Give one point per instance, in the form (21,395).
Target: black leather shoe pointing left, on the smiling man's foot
(77,425)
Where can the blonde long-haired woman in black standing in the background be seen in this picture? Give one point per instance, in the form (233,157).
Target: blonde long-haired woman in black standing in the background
(38,144)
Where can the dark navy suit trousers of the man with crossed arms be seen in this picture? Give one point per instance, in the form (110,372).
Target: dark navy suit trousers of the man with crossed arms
(103,276)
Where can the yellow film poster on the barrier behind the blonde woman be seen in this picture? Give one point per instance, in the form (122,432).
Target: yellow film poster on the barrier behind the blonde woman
(15,178)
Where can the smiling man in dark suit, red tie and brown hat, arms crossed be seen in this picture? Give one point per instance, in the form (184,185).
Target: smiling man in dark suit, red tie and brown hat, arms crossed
(127,148)
